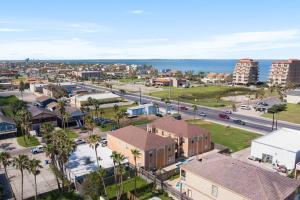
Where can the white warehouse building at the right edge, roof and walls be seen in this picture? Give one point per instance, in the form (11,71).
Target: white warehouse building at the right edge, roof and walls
(280,147)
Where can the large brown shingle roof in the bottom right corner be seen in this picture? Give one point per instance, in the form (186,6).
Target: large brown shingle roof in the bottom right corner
(243,178)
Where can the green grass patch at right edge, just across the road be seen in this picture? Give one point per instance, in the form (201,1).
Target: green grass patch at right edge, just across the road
(291,114)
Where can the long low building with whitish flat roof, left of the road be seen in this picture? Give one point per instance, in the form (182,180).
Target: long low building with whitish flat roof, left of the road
(103,98)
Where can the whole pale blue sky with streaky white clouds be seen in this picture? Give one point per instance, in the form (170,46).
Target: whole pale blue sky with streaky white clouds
(149,29)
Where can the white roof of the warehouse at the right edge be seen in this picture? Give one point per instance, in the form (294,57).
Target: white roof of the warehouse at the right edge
(284,138)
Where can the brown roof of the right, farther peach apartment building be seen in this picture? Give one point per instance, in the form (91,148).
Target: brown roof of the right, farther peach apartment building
(178,127)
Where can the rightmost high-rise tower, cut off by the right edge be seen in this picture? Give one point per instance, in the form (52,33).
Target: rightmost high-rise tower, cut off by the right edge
(284,72)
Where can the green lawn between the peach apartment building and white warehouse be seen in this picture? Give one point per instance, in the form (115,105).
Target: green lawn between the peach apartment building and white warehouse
(234,138)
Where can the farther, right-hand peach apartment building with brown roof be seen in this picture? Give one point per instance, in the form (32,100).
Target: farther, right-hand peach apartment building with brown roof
(190,139)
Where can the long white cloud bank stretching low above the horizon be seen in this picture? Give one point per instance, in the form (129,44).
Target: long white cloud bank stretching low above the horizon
(269,44)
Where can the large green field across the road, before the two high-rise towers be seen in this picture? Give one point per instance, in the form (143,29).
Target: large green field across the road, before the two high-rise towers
(203,95)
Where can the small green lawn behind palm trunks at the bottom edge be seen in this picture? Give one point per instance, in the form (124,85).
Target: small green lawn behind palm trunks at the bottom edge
(128,186)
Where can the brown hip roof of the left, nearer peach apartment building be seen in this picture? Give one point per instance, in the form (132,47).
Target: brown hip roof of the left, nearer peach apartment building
(140,138)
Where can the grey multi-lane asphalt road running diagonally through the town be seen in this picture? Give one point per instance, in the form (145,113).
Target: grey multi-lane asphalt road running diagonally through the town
(255,123)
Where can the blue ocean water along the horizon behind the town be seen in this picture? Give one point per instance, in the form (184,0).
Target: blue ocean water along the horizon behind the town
(196,65)
